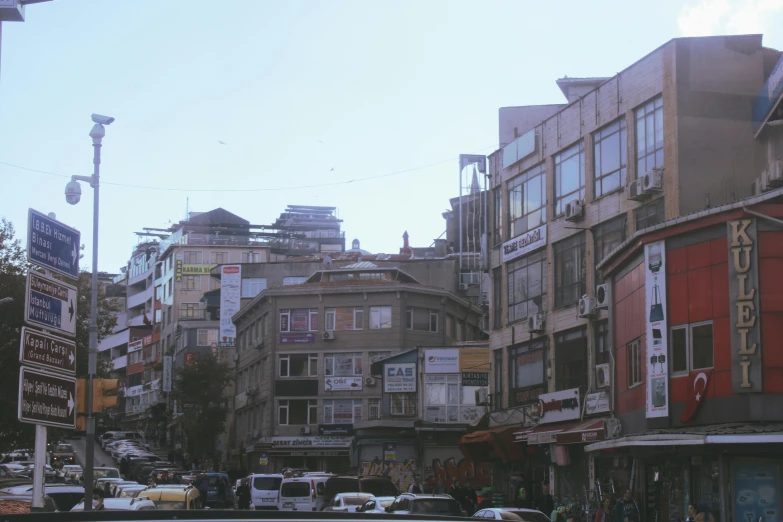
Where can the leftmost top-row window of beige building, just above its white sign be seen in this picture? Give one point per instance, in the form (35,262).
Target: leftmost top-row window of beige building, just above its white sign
(527,201)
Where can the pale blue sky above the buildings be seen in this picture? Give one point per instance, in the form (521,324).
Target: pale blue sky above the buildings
(361,105)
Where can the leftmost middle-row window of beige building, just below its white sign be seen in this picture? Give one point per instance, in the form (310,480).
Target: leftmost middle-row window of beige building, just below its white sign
(526,286)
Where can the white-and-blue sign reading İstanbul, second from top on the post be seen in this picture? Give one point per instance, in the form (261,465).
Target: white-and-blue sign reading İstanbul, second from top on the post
(50,304)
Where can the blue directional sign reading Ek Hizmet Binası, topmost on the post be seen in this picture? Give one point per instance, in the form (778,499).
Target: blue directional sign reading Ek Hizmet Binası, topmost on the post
(53,245)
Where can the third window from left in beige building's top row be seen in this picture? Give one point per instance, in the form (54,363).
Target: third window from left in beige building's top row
(610,158)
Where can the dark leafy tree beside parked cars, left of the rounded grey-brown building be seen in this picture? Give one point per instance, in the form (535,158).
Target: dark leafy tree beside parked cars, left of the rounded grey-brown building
(200,389)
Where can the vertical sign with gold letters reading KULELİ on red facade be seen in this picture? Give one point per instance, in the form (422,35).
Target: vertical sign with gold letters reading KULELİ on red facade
(745,313)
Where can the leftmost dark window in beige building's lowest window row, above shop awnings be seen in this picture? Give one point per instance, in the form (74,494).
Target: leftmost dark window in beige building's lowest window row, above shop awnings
(526,371)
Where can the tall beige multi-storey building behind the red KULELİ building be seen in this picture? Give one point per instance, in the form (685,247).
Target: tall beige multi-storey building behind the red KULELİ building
(667,137)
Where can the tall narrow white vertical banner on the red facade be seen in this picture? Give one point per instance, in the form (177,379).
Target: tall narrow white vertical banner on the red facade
(657,338)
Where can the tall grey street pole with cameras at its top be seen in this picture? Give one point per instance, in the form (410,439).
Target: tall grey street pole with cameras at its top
(97,133)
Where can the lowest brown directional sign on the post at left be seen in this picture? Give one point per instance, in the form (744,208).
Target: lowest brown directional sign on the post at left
(47,399)
